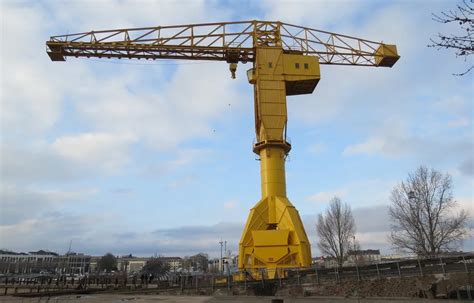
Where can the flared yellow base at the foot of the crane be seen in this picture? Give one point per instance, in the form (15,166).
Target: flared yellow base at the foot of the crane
(273,239)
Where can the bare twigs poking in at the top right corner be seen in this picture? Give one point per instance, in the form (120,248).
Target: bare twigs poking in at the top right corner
(462,43)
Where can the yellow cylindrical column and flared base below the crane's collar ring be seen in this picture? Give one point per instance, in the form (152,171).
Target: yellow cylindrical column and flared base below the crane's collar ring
(274,237)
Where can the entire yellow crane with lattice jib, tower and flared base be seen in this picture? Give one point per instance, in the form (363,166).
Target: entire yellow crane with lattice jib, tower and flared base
(286,61)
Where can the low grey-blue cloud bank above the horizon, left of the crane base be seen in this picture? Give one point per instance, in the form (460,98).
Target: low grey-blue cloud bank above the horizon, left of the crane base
(181,241)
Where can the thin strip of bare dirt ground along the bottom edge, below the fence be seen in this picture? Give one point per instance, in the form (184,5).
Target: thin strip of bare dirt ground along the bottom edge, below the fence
(104,298)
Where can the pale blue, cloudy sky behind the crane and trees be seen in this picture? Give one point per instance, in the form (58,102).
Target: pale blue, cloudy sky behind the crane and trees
(156,157)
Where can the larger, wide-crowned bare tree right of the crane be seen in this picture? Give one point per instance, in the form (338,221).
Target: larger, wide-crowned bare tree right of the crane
(423,214)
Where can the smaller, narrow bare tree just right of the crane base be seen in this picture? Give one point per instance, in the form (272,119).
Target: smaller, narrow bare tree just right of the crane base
(336,229)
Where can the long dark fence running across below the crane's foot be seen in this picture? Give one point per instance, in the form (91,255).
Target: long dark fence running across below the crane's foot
(243,280)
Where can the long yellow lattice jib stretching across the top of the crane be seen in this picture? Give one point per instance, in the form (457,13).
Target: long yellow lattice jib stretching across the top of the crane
(232,42)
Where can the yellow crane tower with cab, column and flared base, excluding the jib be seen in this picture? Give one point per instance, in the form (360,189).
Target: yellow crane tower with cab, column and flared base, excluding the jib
(274,237)
